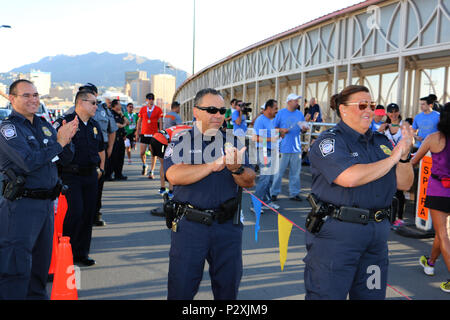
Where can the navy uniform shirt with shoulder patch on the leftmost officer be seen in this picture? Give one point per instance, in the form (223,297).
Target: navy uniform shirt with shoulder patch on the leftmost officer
(31,150)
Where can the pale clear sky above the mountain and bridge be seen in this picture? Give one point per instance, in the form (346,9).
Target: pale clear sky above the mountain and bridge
(154,29)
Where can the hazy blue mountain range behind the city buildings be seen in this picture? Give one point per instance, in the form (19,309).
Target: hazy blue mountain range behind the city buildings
(102,69)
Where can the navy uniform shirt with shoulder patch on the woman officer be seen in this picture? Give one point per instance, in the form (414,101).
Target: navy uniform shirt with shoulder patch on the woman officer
(341,147)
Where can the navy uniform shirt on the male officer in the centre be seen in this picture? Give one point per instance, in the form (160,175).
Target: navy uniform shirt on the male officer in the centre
(192,147)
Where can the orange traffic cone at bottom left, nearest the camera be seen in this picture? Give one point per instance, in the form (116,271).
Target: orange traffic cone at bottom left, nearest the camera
(64,282)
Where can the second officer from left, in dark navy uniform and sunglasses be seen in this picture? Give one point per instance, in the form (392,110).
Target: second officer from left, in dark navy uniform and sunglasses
(82,175)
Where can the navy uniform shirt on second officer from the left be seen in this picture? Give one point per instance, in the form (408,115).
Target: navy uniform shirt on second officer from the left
(88,141)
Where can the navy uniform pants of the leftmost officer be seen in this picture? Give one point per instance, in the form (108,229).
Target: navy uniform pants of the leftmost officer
(26,236)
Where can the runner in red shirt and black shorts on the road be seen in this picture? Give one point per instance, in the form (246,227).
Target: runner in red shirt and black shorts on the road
(148,124)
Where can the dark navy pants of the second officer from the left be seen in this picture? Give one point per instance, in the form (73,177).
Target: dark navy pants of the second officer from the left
(81,206)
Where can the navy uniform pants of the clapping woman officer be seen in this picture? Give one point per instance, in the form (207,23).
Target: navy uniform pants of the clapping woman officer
(346,258)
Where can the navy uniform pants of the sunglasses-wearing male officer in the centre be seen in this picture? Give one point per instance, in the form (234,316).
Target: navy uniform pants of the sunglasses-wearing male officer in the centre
(192,244)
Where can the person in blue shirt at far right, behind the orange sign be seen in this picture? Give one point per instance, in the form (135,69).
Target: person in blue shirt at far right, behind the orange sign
(425,122)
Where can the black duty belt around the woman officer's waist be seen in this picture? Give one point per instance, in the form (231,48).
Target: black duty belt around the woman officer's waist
(359,215)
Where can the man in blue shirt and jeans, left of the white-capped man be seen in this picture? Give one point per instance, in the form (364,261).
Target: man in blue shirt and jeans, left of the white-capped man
(266,137)
